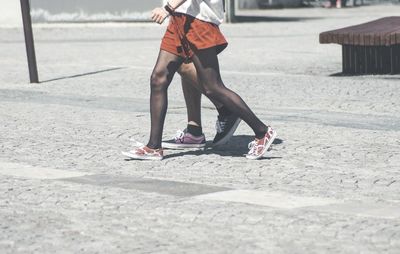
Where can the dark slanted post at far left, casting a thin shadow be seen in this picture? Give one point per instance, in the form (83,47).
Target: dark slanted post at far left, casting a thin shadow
(29,43)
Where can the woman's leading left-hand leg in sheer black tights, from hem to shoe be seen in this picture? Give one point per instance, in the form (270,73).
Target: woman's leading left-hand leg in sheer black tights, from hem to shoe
(166,66)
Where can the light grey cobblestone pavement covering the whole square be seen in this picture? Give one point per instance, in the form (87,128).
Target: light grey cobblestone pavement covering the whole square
(330,185)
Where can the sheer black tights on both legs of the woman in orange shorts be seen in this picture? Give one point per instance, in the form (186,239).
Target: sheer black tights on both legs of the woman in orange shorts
(207,67)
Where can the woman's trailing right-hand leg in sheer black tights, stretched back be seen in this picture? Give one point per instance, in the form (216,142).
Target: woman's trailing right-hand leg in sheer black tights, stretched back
(207,67)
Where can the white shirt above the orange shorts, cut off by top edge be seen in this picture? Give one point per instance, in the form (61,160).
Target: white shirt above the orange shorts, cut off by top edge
(206,10)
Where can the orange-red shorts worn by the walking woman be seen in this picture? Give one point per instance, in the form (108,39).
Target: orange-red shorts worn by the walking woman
(186,34)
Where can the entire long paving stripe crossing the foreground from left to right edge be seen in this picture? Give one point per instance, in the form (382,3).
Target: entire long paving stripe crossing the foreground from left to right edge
(275,200)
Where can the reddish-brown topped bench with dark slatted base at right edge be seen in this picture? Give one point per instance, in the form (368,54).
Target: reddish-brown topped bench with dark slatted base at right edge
(368,48)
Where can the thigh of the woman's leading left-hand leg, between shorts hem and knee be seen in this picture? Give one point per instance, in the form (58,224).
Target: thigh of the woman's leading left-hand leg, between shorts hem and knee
(166,66)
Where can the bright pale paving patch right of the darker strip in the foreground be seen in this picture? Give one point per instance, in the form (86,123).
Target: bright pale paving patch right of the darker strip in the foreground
(270,199)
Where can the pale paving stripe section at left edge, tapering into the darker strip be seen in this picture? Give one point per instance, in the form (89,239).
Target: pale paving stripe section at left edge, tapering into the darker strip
(31,172)
